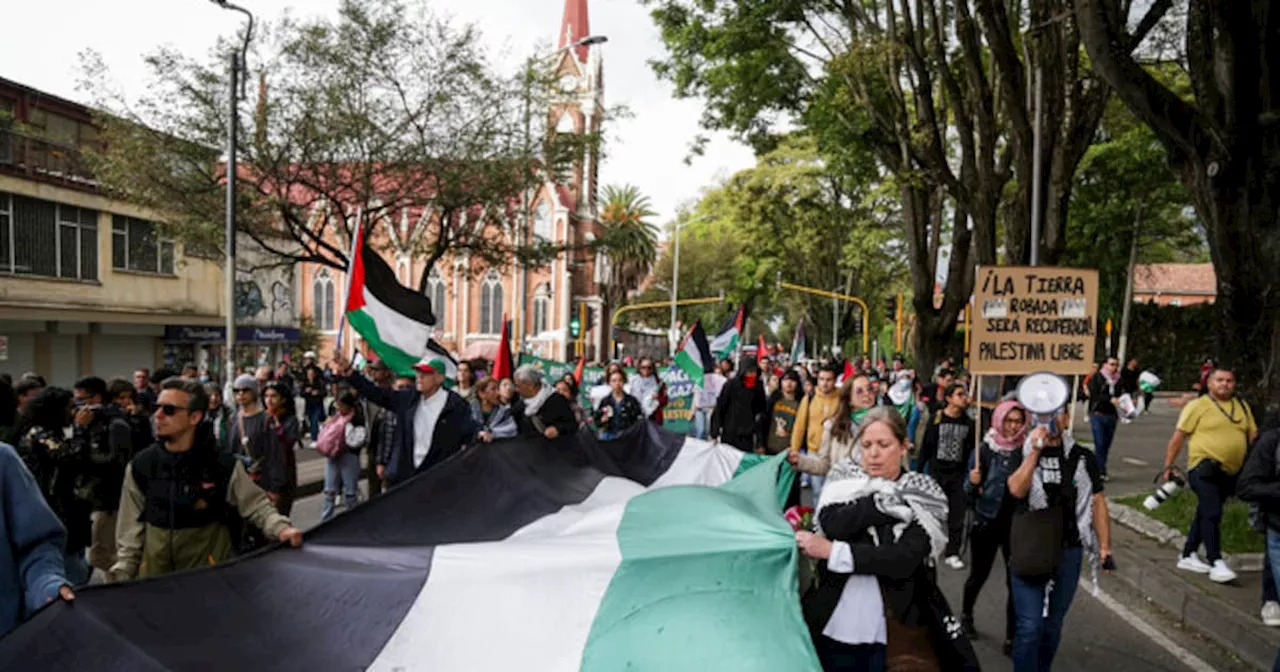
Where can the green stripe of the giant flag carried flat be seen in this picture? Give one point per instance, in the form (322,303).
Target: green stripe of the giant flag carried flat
(700,564)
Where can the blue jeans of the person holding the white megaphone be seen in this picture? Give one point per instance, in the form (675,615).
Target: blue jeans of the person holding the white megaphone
(1040,630)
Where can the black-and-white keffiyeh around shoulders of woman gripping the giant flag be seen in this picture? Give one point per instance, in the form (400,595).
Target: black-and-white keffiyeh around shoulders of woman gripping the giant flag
(912,499)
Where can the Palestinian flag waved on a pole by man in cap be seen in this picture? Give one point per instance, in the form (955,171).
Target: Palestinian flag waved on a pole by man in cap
(392,318)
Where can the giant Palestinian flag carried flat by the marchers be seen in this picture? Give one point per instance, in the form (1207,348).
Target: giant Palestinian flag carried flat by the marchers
(651,552)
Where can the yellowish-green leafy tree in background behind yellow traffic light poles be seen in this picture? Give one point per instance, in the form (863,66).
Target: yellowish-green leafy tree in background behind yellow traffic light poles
(790,218)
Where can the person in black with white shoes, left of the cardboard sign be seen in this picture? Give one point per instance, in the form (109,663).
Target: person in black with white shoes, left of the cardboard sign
(945,455)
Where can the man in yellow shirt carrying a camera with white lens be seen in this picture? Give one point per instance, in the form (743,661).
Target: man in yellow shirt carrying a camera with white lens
(1218,429)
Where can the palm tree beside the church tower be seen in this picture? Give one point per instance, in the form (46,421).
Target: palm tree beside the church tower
(628,239)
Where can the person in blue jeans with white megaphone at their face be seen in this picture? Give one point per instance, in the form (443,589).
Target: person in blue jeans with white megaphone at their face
(1057,483)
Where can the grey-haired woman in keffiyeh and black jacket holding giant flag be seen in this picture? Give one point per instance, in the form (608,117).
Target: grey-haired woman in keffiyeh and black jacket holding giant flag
(883,528)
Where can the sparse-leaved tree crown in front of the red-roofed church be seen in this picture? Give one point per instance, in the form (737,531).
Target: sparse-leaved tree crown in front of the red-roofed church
(387,115)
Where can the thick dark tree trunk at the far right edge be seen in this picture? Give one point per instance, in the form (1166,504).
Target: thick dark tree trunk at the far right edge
(1223,144)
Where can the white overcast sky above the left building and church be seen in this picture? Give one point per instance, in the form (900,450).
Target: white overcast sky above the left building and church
(43,42)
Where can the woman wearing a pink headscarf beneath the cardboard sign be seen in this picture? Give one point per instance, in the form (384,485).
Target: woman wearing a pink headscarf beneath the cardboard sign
(994,510)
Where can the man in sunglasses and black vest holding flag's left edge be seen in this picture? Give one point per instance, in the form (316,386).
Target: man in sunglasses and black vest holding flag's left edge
(181,493)
